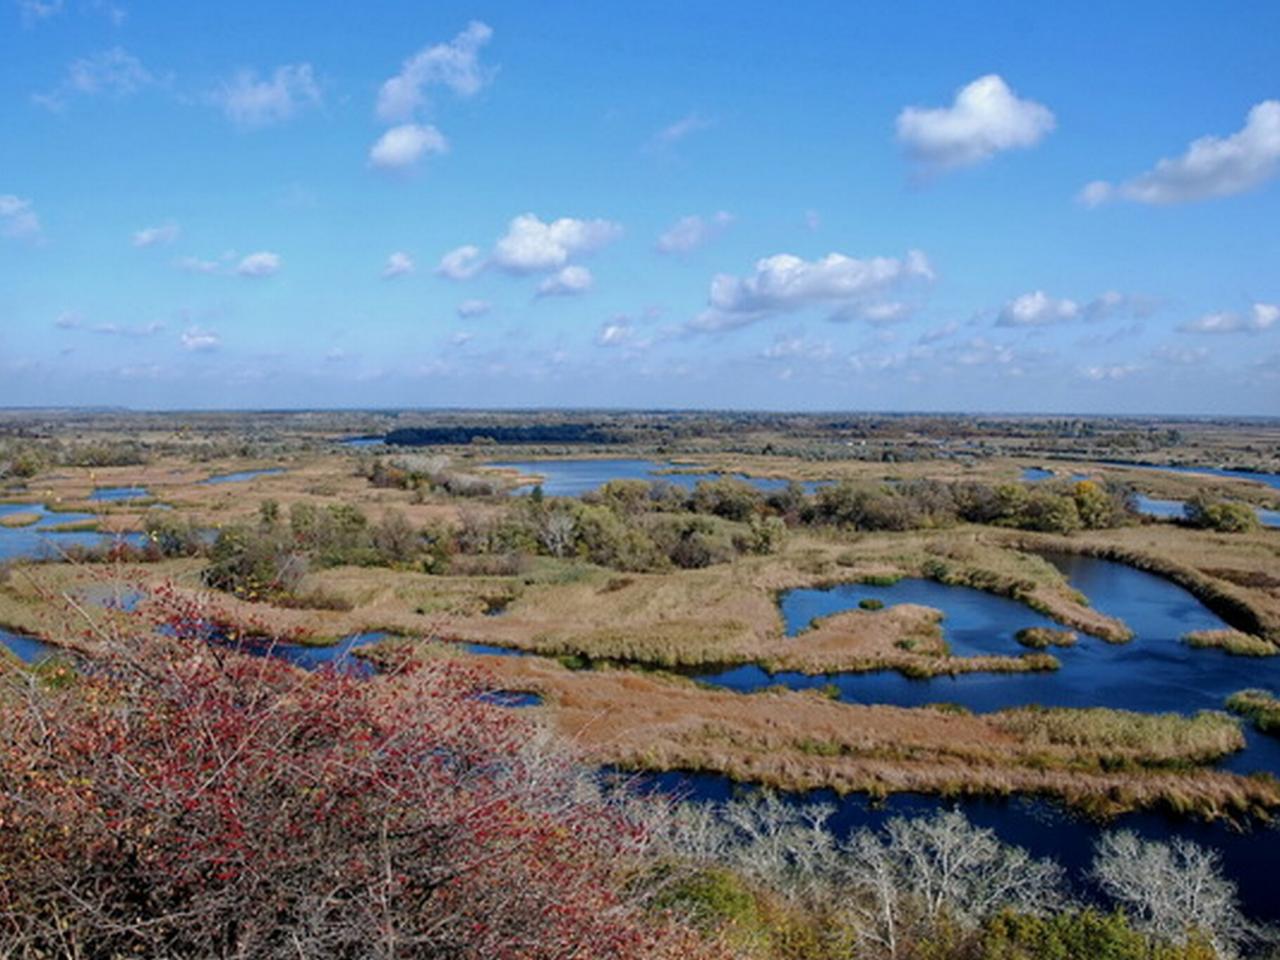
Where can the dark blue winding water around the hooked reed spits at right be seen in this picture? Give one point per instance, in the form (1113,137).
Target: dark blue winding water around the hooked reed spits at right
(1155,673)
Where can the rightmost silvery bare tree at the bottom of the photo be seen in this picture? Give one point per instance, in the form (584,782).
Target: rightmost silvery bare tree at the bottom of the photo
(1174,892)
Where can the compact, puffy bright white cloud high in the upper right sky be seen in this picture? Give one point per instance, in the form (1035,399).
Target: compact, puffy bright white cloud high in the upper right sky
(986,118)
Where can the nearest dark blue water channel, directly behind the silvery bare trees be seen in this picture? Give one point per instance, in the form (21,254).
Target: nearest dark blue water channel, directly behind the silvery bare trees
(1043,828)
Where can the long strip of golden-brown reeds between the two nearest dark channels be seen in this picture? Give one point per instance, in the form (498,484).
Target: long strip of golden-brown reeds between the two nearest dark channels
(1101,761)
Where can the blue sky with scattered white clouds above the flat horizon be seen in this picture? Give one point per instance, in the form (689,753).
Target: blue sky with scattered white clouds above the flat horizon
(917,207)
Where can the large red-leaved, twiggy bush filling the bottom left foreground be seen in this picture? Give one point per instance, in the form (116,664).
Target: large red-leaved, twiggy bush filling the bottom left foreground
(172,798)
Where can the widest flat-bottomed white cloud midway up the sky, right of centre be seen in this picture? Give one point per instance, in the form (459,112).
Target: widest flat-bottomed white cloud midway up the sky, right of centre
(785,284)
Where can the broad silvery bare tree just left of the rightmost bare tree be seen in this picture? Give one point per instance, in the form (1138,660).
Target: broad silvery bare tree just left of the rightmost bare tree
(922,870)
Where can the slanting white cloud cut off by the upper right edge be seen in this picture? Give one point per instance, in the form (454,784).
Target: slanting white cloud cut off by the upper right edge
(1213,167)
